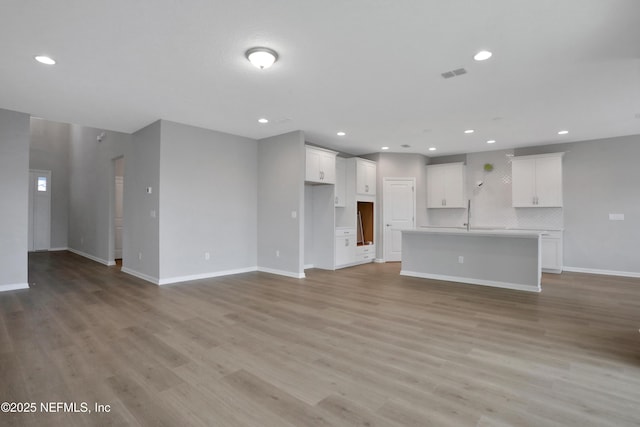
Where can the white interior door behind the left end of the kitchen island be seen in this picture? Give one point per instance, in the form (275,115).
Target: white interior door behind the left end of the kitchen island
(399,212)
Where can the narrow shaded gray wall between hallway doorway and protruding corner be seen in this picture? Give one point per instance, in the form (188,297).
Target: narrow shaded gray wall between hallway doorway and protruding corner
(141,234)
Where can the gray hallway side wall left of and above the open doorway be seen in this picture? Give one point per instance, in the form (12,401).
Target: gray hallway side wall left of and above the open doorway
(91,190)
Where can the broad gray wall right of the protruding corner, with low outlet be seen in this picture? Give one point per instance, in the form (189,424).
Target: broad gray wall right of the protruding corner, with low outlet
(208,202)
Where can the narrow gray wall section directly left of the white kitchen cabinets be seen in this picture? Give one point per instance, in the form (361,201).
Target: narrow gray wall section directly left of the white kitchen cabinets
(281,163)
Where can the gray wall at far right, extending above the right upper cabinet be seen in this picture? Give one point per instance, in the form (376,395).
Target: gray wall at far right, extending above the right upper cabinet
(600,177)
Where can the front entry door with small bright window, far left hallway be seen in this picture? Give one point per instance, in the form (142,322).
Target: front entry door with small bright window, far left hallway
(39,210)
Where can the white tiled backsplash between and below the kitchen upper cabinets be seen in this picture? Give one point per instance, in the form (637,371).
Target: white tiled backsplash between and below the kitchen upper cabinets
(491,202)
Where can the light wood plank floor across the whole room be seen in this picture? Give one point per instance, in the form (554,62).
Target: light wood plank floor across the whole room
(359,346)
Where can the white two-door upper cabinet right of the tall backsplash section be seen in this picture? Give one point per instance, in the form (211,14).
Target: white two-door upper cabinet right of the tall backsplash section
(537,181)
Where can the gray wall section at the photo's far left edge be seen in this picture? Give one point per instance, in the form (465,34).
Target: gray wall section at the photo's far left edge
(14,188)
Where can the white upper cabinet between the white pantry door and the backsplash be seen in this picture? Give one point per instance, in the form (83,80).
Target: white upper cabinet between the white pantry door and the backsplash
(446,186)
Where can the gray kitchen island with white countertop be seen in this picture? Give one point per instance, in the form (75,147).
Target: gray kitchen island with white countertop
(500,258)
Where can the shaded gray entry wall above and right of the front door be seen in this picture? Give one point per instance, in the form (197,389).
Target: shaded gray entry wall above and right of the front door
(49,150)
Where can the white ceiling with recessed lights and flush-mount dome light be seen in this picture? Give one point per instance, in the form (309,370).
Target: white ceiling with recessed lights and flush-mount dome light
(368,67)
